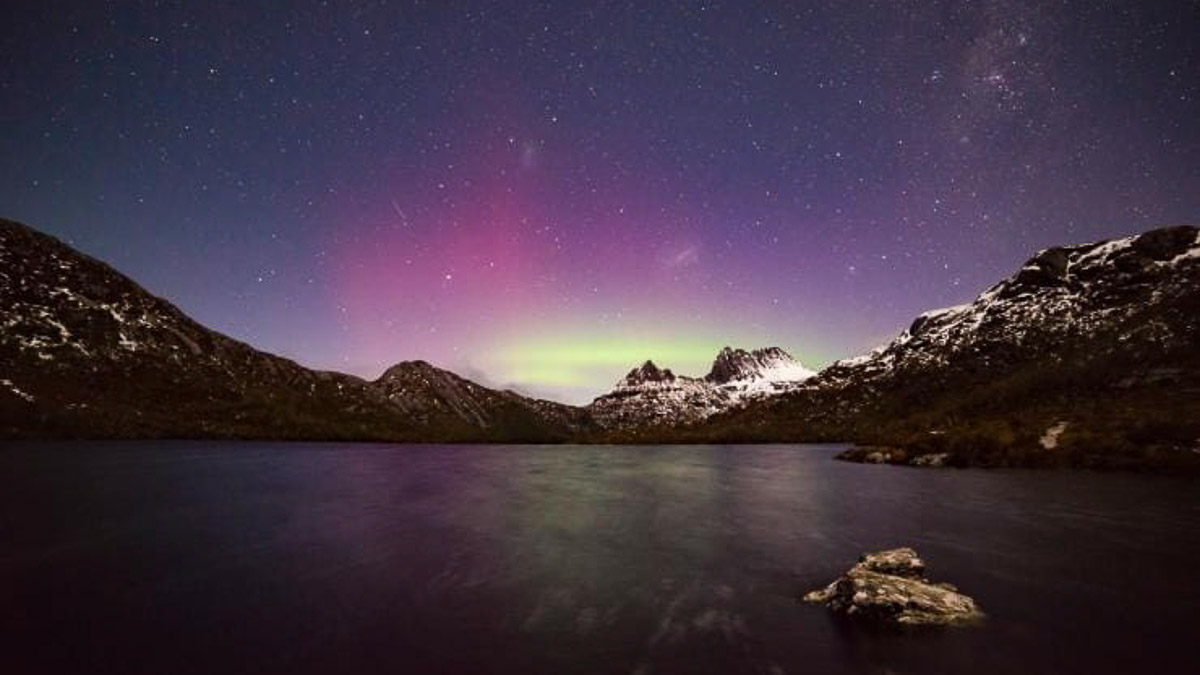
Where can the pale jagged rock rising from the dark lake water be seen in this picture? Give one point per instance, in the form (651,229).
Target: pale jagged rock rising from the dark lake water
(890,588)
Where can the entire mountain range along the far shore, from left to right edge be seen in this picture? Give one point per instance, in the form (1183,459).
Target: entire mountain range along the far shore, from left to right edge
(1093,347)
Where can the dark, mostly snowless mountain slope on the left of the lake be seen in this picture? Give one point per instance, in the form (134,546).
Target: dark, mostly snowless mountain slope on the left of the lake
(85,351)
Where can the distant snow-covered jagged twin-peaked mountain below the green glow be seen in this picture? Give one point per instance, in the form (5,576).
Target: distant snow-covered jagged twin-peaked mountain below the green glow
(650,397)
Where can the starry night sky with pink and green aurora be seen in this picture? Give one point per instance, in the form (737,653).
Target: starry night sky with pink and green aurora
(543,195)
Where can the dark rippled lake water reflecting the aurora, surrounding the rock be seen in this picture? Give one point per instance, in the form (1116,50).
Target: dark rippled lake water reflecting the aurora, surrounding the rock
(269,558)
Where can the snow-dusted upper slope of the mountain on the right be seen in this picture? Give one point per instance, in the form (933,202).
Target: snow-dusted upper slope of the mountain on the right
(1060,294)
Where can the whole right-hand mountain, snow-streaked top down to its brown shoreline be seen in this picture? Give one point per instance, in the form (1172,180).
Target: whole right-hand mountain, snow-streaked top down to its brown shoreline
(1088,356)
